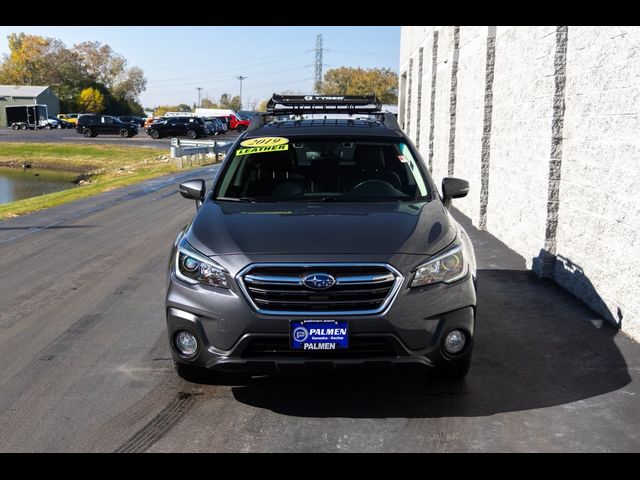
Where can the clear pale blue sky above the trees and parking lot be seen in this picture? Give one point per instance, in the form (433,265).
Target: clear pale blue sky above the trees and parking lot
(176,60)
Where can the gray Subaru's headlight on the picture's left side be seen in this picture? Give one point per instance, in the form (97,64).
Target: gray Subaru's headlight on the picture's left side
(193,267)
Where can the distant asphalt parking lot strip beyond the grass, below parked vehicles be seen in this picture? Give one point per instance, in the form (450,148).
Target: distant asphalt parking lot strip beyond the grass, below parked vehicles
(71,136)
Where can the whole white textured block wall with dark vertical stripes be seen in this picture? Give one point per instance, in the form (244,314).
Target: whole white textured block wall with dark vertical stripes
(543,123)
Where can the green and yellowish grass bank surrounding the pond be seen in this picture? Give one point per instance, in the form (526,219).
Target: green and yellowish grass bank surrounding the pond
(100,168)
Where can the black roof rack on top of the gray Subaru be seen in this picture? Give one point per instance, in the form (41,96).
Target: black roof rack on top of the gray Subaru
(281,105)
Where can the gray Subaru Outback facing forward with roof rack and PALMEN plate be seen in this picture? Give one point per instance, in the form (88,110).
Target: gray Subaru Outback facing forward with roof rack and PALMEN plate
(322,241)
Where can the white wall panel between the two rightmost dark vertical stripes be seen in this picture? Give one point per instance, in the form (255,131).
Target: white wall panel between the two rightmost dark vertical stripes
(521,137)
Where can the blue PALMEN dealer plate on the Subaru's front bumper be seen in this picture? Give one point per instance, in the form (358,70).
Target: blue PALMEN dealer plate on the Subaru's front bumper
(319,335)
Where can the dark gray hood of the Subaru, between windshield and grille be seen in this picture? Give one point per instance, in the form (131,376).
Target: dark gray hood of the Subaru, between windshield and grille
(223,228)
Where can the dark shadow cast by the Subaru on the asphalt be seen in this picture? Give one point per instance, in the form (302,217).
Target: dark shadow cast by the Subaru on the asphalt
(536,346)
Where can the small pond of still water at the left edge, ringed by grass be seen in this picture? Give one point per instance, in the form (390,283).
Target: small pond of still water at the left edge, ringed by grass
(16,183)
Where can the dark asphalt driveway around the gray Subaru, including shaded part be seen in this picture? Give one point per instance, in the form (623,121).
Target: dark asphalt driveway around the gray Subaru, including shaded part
(86,363)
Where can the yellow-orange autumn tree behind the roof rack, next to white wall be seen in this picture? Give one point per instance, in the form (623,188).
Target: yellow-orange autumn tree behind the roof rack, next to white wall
(358,81)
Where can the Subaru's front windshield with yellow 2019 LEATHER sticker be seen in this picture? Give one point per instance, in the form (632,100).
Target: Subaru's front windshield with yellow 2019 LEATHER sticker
(277,169)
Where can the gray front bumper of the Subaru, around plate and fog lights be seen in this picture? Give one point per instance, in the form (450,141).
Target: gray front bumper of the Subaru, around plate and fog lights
(233,336)
